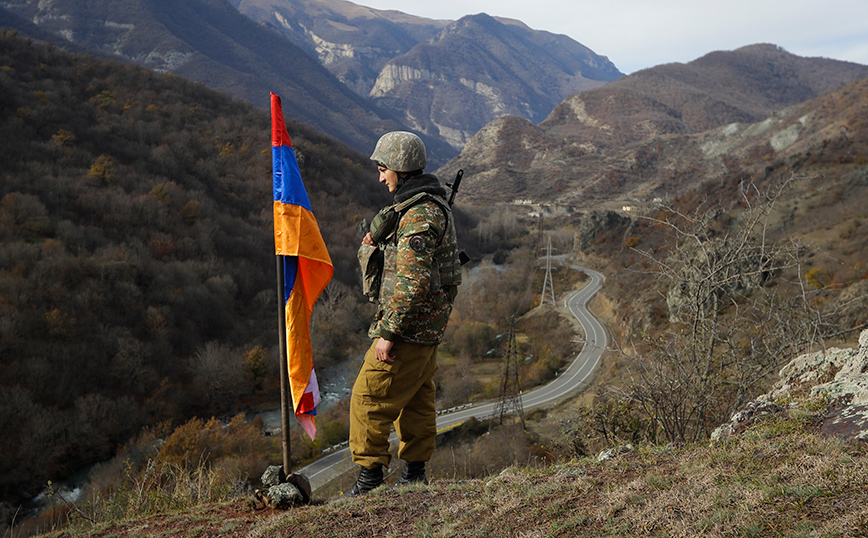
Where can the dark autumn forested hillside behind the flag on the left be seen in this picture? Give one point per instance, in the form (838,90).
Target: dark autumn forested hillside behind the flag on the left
(136,259)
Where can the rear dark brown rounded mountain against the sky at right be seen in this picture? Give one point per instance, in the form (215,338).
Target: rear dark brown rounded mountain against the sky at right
(745,85)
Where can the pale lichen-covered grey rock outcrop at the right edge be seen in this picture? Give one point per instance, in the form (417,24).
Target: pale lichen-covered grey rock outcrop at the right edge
(838,375)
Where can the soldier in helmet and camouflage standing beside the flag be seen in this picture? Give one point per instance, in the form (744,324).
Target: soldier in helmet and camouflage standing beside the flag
(411,268)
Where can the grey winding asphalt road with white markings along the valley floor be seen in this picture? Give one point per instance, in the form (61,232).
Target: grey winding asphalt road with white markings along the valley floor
(576,377)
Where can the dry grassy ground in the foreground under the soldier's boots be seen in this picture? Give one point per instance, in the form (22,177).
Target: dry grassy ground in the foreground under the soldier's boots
(778,479)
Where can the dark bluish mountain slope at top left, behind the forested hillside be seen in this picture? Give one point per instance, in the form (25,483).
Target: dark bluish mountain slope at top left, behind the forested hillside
(209,41)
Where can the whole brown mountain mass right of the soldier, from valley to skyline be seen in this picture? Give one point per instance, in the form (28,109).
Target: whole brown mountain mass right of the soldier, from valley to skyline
(641,136)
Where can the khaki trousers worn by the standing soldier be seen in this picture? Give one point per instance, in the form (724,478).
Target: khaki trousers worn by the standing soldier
(399,393)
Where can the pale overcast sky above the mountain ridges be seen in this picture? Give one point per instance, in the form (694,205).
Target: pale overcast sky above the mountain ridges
(635,34)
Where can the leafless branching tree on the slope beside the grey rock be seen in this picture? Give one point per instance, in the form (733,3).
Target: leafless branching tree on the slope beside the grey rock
(739,308)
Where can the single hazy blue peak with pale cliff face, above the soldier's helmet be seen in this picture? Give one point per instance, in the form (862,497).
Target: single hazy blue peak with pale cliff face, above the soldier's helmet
(480,69)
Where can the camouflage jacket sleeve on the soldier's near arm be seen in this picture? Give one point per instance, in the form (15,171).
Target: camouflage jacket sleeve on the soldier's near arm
(407,302)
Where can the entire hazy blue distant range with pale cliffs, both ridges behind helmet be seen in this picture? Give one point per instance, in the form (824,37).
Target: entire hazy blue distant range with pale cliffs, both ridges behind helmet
(443,78)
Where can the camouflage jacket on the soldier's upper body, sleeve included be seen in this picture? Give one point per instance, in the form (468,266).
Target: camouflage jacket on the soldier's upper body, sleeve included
(413,305)
